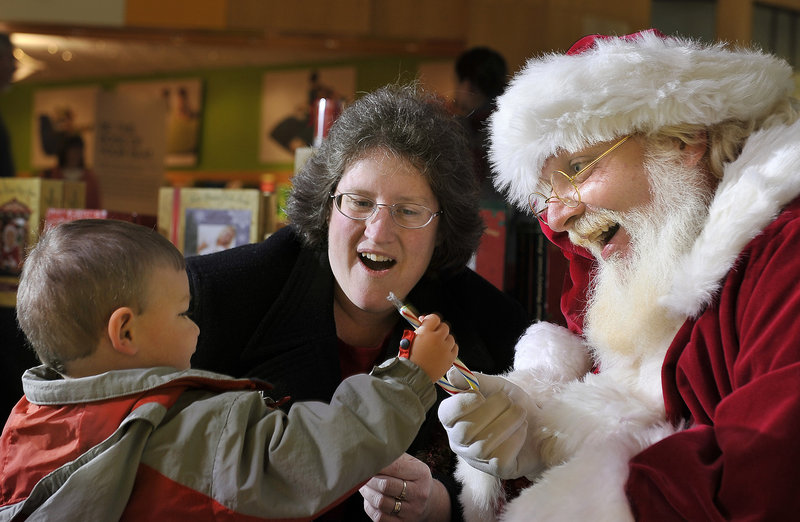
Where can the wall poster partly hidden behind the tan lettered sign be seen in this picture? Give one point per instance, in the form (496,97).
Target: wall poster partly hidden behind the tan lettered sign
(183,102)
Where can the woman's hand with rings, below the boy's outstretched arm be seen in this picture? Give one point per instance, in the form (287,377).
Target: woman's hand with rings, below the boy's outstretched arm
(405,490)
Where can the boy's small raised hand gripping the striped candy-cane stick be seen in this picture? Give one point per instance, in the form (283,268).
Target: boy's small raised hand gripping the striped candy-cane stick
(434,349)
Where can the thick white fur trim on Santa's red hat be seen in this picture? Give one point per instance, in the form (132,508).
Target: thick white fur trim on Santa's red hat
(620,86)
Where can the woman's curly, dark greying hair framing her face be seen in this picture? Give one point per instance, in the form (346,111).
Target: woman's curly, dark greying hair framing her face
(416,126)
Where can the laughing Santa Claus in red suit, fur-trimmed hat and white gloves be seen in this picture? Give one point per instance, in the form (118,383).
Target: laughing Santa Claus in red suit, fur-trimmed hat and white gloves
(668,171)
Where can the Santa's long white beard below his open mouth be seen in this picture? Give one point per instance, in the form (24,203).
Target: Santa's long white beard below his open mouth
(624,320)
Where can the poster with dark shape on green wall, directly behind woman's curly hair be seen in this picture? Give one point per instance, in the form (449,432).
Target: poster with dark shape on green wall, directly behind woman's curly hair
(288,103)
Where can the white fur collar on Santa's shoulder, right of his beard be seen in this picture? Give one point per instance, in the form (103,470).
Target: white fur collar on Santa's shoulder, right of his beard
(754,189)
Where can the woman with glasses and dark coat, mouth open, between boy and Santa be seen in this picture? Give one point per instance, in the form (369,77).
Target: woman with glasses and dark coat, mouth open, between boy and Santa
(388,203)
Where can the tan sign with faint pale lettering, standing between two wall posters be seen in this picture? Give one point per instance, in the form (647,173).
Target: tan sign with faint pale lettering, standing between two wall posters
(129,152)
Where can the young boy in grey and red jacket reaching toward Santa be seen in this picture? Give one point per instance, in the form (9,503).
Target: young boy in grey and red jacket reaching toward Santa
(114,424)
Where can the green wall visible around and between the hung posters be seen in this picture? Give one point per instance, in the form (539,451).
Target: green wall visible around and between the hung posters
(232,97)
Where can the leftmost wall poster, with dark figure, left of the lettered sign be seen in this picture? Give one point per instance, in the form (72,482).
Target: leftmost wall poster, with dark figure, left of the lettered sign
(59,117)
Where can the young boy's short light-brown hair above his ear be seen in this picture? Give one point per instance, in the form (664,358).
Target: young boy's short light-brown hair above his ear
(79,273)
